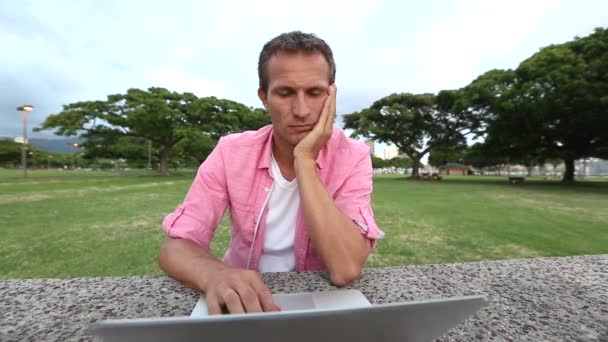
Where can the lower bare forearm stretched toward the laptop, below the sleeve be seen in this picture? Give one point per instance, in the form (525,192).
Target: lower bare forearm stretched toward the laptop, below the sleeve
(188,263)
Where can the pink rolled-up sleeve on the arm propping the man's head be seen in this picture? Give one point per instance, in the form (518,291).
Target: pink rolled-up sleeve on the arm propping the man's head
(354,199)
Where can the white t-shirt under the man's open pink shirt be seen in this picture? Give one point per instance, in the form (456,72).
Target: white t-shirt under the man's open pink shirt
(278,255)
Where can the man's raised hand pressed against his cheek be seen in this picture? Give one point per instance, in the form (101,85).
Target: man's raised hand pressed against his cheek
(313,142)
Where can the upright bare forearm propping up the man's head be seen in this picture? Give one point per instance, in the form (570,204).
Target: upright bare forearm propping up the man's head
(338,241)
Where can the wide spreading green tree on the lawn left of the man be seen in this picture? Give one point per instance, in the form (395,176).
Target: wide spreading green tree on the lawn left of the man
(165,118)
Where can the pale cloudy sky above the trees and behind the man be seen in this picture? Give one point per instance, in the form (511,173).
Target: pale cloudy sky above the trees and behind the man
(59,52)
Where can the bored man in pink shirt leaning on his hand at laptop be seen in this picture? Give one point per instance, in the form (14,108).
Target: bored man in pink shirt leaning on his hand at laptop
(298,190)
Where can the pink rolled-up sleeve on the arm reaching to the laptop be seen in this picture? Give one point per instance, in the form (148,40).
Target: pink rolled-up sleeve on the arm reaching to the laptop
(197,218)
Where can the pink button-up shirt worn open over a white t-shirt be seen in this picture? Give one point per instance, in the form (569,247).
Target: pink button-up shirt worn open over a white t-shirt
(236,176)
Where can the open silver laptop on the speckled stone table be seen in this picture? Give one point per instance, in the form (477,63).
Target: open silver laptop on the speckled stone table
(342,315)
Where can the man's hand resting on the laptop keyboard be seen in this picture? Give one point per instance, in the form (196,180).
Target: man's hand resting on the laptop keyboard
(238,291)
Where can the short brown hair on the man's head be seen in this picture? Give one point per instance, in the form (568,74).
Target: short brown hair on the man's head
(294,42)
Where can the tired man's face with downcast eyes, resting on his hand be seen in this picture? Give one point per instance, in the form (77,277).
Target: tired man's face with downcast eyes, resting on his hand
(297,88)
